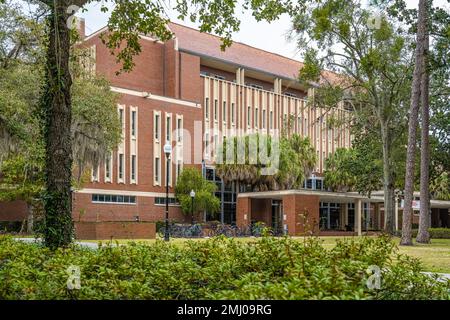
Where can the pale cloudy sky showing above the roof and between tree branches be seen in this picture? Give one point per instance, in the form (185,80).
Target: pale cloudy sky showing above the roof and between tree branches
(270,37)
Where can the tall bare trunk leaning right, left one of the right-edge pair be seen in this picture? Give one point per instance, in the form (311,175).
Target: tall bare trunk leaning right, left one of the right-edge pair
(413,122)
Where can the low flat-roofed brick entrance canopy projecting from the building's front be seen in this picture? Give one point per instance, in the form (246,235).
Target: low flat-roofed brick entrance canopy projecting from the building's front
(298,210)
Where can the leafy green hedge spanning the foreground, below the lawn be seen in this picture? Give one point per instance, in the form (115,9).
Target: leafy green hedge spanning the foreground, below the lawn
(219,268)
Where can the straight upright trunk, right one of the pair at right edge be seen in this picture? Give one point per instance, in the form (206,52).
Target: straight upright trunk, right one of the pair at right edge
(423,235)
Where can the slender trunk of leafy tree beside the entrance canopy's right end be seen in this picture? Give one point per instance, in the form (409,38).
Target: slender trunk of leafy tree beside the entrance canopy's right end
(388,179)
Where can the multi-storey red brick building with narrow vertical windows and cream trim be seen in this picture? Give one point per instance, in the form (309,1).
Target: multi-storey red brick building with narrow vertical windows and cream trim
(189,92)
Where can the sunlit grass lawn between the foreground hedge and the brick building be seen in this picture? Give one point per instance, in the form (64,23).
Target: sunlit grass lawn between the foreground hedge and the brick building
(435,256)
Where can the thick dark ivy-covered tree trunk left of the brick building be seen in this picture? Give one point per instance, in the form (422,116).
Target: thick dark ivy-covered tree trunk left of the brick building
(57,109)
